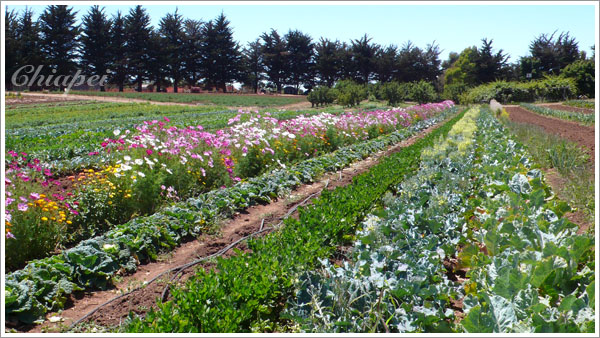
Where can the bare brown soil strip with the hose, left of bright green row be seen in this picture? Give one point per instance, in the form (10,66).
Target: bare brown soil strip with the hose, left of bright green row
(243,224)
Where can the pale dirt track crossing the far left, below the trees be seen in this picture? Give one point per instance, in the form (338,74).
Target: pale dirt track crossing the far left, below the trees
(73,97)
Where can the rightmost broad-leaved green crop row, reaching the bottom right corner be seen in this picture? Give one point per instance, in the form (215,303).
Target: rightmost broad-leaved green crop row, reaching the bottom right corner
(535,274)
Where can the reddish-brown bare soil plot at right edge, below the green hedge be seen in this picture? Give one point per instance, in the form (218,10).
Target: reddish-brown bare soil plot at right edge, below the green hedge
(583,135)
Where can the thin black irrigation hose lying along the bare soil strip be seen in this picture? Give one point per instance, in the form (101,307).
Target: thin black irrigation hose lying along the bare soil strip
(181,268)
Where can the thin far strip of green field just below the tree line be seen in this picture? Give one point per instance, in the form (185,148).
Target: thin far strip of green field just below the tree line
(232,100)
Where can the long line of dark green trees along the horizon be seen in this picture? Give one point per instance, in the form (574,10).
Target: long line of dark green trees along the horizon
(189,52)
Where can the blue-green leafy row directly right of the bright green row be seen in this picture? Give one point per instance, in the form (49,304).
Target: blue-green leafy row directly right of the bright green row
(395,280)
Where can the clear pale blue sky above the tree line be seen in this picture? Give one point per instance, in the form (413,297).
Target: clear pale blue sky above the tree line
(454,27)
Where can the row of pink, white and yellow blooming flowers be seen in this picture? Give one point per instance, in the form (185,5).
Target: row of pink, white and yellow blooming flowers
(158,163)
